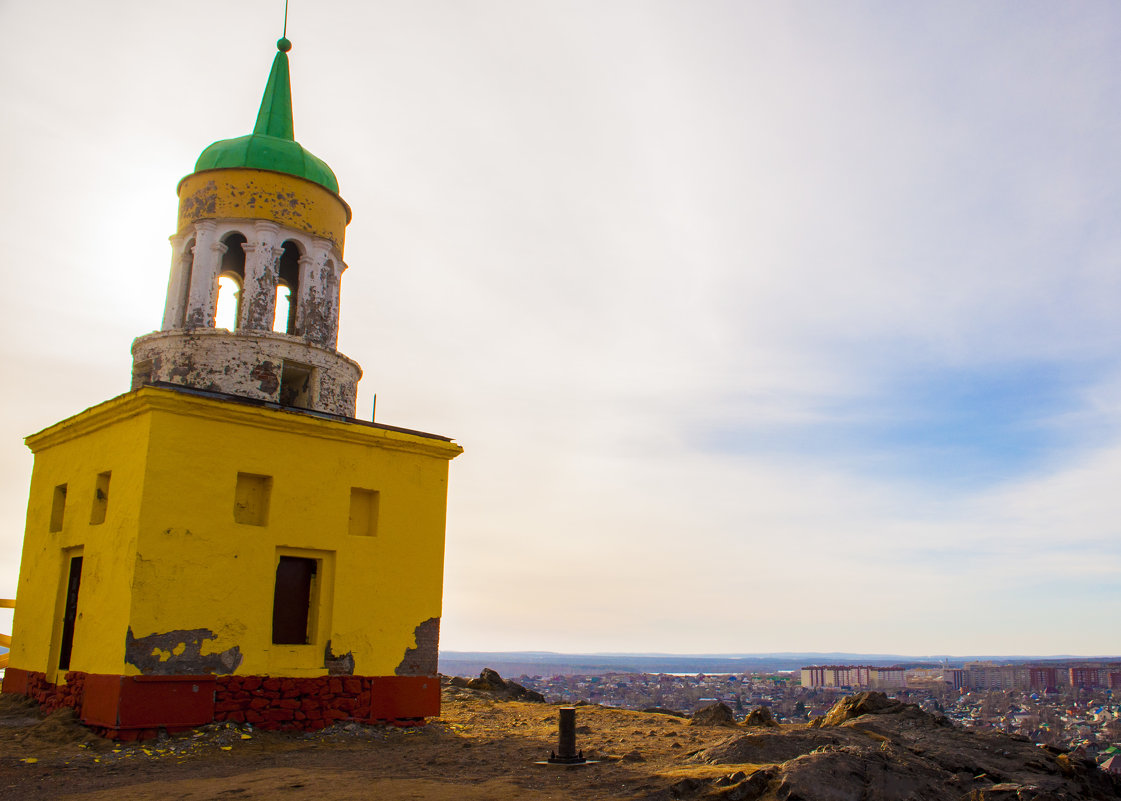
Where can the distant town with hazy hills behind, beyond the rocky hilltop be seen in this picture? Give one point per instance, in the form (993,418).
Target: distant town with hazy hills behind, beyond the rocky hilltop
(1054,702)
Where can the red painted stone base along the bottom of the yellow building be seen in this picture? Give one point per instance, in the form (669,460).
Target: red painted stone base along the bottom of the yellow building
(136,707)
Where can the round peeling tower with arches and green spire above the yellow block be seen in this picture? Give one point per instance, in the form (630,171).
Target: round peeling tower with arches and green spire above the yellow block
(261,229)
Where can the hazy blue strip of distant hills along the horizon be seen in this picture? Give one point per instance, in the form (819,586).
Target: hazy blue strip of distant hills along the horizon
(550,664)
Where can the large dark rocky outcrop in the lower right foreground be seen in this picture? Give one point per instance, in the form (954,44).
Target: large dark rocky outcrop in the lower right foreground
(872,749)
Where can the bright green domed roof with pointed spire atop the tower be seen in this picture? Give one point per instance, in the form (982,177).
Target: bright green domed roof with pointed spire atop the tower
(273,145)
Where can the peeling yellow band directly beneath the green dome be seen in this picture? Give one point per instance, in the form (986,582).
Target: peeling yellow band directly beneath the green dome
(258,194)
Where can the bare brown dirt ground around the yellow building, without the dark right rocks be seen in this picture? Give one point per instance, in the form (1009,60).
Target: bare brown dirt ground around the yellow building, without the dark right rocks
(480,749)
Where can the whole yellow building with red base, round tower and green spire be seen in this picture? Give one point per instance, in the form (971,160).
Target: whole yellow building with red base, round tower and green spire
(227,542)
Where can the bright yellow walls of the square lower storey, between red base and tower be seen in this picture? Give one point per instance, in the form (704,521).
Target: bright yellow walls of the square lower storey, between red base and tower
(196,581)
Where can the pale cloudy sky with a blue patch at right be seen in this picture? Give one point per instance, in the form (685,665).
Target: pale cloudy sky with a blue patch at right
(765,327)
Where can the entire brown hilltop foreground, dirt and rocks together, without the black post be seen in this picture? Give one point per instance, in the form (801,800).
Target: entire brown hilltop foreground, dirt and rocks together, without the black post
(486,746)
